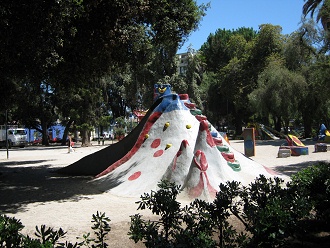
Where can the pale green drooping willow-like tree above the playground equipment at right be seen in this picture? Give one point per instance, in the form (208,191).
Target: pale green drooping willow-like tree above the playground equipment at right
(279,93)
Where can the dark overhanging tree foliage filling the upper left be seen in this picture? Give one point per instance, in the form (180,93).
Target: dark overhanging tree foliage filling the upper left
(73,45)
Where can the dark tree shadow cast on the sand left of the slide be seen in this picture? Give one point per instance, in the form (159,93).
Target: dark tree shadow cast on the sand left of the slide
(26,182)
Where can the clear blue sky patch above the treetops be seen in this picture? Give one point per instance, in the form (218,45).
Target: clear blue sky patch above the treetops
(234,14)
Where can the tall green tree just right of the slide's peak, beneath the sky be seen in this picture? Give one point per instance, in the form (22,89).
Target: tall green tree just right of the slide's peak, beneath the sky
(227,94)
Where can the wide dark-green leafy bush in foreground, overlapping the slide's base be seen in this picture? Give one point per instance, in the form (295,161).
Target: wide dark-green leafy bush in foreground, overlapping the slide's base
(269,212)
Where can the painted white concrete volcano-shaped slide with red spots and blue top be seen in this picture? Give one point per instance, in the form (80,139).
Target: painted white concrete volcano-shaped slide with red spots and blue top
(174,141)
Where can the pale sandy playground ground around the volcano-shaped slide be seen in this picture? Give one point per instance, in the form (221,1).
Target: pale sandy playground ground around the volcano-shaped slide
(32,191)
